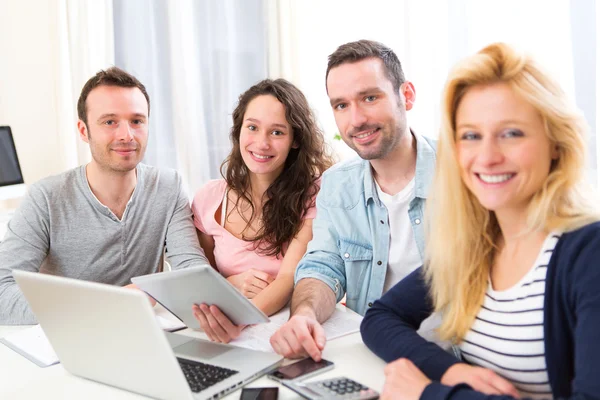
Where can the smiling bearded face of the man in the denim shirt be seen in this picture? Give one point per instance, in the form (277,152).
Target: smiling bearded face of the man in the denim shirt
(369,114)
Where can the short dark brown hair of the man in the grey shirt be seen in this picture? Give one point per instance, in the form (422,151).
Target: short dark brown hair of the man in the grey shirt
(113,76)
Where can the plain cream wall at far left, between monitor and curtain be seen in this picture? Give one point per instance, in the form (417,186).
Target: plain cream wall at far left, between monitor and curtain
(28,93)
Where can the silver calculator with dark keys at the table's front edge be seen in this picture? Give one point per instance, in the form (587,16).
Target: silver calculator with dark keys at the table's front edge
(335,388)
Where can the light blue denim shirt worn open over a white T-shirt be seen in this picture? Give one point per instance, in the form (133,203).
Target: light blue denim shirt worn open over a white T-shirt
(351,234)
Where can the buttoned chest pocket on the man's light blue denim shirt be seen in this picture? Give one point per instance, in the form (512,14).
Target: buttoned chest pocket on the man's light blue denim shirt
(358,260)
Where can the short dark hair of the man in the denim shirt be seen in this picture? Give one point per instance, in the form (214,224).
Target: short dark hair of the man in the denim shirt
(362,49)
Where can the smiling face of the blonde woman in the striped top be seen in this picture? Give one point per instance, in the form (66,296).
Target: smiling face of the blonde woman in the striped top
(503,150)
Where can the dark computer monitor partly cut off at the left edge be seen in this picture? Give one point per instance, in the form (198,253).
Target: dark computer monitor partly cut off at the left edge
(11,179)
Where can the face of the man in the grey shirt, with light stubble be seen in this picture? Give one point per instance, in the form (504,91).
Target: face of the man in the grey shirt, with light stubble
(117,128)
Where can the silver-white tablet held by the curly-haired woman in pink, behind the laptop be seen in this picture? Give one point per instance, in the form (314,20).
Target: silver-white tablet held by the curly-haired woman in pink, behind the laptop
(178,290)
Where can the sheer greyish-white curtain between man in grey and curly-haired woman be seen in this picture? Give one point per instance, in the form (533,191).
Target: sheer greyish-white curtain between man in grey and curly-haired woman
(195,58)
